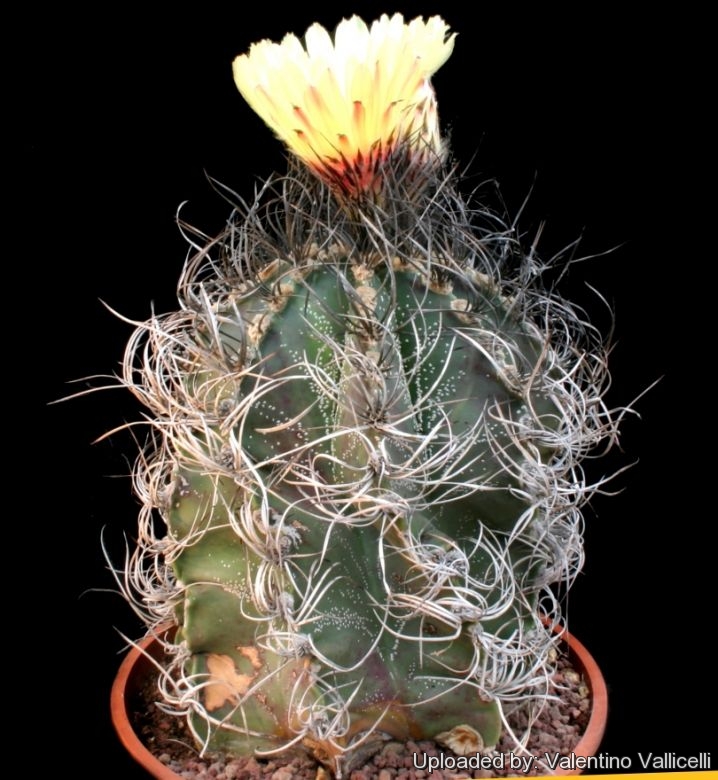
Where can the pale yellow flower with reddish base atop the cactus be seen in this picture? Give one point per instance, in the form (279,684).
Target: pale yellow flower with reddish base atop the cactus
(345,105)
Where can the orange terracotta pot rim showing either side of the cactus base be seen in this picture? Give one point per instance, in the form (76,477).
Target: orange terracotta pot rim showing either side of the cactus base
(137,666)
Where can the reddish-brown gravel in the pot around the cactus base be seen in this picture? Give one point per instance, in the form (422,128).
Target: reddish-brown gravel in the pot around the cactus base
(557,730)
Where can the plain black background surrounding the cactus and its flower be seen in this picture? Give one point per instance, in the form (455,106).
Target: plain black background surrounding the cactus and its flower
(121,115)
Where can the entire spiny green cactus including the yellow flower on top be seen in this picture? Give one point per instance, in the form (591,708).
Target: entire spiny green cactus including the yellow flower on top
(368,418)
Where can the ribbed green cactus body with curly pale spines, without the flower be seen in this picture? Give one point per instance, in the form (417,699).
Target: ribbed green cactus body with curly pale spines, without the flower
(356,550)
